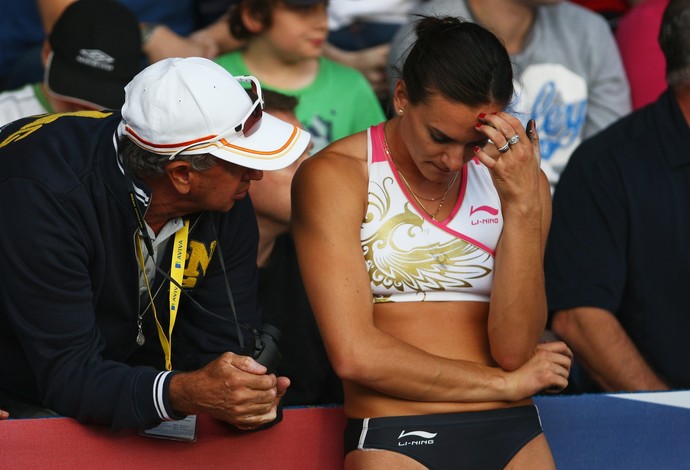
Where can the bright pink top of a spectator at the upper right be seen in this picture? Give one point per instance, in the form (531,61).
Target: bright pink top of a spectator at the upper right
(637,37)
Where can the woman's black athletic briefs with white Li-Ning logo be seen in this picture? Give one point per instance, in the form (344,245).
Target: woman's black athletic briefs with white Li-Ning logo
(470,440)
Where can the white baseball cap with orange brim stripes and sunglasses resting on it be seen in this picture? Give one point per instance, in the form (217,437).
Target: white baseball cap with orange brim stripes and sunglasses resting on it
(193,106)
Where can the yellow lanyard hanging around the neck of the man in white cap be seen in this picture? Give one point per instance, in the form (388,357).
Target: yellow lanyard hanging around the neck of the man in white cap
(176,274)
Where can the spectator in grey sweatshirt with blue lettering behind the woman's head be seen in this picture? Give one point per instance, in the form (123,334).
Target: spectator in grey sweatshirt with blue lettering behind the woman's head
(569,75)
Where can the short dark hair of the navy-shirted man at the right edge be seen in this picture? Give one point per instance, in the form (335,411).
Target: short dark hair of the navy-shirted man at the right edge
(674,39)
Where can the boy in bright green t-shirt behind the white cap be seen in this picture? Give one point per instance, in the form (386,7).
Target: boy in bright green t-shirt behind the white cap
(284,43)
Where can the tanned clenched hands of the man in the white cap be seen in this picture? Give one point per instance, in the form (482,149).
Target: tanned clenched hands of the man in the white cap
(232,388)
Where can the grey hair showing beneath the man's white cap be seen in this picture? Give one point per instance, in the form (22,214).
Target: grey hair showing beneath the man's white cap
(142,163)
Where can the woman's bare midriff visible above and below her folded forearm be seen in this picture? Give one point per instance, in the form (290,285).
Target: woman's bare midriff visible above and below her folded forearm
(455,330)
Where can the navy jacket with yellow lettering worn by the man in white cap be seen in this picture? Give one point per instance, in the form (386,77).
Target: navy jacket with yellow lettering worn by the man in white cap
(70,295)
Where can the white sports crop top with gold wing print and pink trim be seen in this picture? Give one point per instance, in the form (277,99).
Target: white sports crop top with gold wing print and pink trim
(412,258)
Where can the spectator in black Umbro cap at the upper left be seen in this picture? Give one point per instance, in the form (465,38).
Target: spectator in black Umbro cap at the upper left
(91,54)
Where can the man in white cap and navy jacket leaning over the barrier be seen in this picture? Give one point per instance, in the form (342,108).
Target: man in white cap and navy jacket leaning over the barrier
(130,253)
